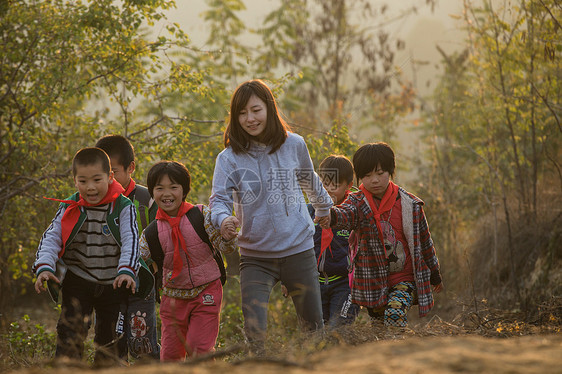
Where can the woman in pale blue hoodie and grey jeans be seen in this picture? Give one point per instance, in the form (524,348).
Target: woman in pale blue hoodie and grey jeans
(262,173)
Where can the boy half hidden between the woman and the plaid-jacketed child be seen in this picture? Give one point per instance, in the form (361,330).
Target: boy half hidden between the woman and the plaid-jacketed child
(332,247)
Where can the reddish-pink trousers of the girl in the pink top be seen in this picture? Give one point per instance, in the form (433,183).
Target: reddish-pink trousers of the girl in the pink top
(190,326)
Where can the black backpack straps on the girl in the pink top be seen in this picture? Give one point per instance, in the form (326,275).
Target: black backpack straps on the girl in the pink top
(197,220)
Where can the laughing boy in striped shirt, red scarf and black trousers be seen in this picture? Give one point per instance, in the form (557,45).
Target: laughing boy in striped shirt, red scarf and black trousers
(94,232)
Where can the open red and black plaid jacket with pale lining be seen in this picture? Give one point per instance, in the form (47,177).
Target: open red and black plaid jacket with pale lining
(370,286)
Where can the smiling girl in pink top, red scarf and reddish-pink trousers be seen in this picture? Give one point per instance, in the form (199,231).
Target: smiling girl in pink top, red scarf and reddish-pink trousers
(191,286)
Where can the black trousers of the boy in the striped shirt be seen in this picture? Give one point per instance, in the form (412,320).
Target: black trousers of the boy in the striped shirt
(79,299)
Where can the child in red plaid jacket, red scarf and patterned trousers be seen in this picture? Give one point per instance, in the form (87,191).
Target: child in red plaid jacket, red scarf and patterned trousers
(396,260)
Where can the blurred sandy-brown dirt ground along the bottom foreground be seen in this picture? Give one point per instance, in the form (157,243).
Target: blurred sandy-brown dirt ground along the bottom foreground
(457,354)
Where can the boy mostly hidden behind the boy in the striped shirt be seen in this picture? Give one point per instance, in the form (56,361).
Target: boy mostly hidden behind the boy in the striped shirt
(141,336)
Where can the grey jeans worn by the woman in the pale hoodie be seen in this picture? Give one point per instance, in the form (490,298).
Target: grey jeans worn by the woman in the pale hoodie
(258,276)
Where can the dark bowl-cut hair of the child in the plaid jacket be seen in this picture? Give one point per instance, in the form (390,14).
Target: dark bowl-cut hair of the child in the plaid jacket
(371,155)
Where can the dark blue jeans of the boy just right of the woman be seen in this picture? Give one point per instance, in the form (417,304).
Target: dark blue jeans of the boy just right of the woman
(336,303)
